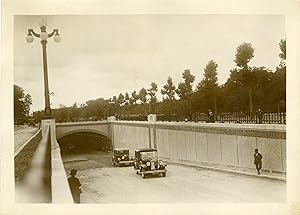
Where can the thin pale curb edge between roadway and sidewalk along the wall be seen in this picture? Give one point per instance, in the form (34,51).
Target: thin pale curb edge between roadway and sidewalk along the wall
(233,171)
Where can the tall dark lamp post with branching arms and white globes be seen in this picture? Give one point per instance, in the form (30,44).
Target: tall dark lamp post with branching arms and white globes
(44,36)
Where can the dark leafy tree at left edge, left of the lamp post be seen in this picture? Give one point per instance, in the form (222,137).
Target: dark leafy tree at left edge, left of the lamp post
(22,103)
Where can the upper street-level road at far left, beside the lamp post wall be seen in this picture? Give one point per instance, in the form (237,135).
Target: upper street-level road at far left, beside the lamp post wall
(22,134)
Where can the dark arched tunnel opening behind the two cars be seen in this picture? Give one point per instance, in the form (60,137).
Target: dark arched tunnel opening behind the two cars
(83,142)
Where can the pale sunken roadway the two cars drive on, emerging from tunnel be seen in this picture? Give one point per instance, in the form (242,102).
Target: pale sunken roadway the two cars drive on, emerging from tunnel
(103,183)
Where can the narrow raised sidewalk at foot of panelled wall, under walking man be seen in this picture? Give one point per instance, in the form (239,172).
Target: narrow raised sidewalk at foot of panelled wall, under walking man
(232,169)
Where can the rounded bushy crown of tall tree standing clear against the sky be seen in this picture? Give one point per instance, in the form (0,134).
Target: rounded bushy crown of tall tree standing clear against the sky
(244,53)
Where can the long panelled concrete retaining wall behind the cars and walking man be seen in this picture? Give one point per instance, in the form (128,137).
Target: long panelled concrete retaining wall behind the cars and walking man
(210,143)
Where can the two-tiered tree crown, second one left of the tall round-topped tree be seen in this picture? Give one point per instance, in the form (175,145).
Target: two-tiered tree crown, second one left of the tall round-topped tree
(185,89)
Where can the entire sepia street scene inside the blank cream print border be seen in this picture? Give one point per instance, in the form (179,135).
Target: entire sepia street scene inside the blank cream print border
(150,108)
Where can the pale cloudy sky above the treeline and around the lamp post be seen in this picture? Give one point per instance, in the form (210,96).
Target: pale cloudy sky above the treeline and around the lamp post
(104,55)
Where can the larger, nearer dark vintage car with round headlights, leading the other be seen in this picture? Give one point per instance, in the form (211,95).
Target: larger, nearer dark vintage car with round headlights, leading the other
(147,163)
